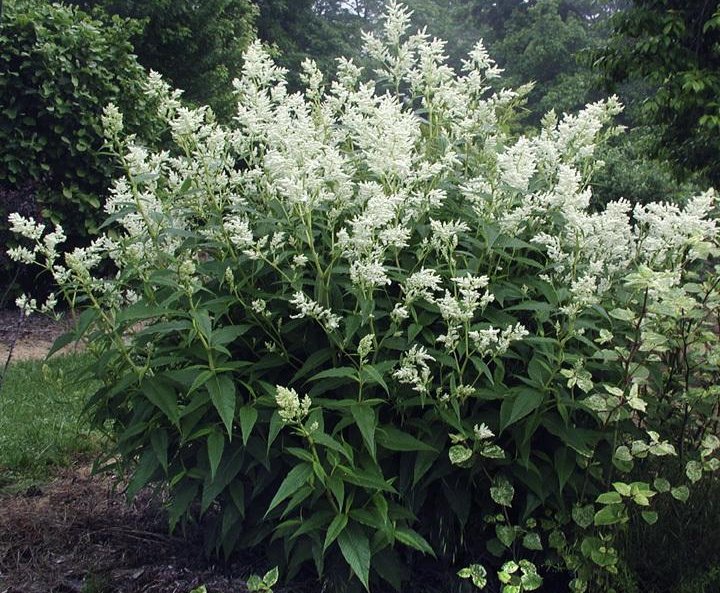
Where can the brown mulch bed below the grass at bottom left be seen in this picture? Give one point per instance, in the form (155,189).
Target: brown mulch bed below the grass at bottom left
(78,534)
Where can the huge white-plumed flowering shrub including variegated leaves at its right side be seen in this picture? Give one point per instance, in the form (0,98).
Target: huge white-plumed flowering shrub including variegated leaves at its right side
(365,320)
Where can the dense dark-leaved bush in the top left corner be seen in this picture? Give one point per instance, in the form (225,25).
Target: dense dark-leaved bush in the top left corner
(58,69)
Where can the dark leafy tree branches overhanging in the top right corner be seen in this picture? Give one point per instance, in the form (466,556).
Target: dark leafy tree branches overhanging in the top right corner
(673,46)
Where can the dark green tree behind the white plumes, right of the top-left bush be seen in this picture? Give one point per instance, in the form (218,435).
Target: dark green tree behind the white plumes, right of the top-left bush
(197,46)
